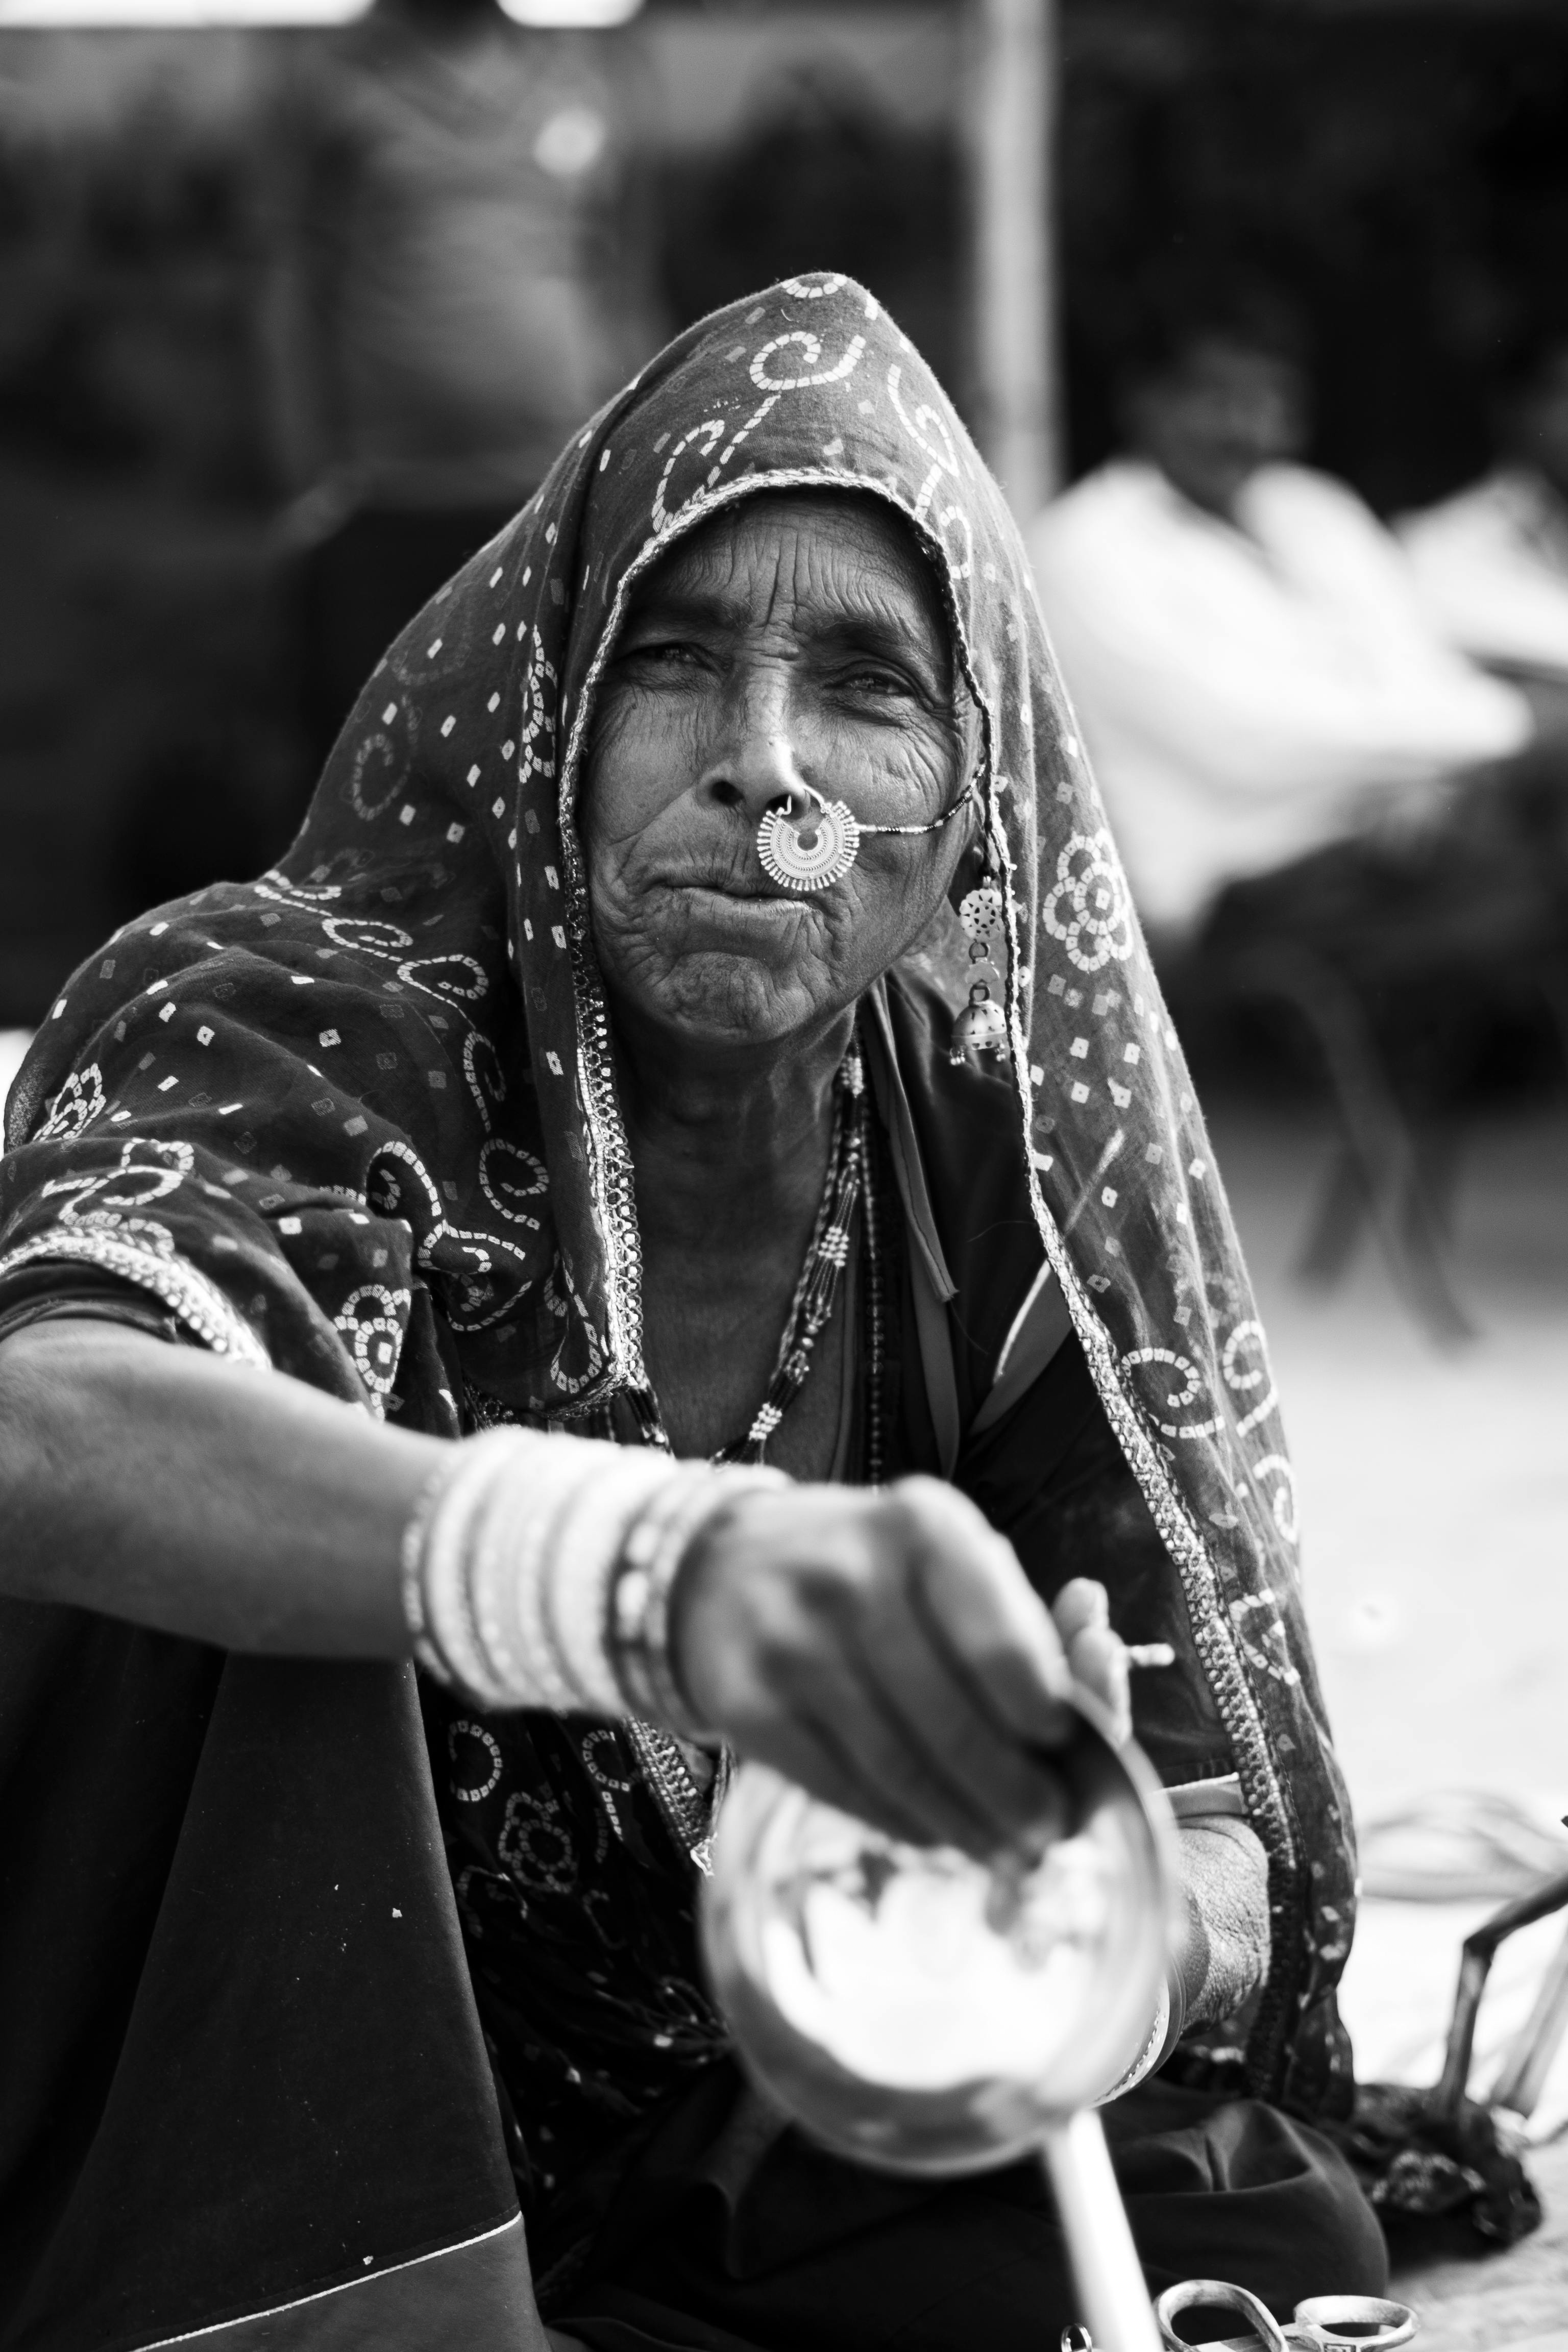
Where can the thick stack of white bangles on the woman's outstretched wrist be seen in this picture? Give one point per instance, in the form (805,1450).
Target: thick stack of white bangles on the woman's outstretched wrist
(537,1572)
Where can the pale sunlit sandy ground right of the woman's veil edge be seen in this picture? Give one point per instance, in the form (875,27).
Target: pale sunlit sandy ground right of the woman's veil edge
(1435,1506)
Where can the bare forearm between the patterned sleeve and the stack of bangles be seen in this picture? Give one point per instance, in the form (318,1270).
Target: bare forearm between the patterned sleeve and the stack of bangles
(234,1506)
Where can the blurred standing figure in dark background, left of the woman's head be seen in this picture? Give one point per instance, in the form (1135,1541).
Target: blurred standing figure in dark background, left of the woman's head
(460,283)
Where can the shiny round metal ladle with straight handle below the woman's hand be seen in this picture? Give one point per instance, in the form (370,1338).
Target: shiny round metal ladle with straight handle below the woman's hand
(920,2012)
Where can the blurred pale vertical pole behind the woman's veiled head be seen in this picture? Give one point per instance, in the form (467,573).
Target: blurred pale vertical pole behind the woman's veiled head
(1012,131)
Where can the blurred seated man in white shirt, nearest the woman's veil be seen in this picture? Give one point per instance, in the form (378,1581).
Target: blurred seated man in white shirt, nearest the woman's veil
(1252,667)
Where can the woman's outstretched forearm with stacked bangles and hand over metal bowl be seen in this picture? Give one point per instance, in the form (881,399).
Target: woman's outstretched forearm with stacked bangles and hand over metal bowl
(243,1509)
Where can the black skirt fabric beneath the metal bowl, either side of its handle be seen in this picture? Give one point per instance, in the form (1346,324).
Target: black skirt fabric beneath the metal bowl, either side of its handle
(730,2233)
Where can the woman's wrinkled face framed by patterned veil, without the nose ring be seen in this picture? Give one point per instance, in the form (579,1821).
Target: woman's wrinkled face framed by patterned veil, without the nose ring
(791,636)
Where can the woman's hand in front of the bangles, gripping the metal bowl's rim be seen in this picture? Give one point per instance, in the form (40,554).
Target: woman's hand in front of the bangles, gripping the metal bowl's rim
(890,1655)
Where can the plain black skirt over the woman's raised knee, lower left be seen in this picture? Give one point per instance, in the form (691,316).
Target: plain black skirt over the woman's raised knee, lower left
(241,2057)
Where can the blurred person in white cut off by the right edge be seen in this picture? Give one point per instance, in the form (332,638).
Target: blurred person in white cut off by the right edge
(1492,563)
